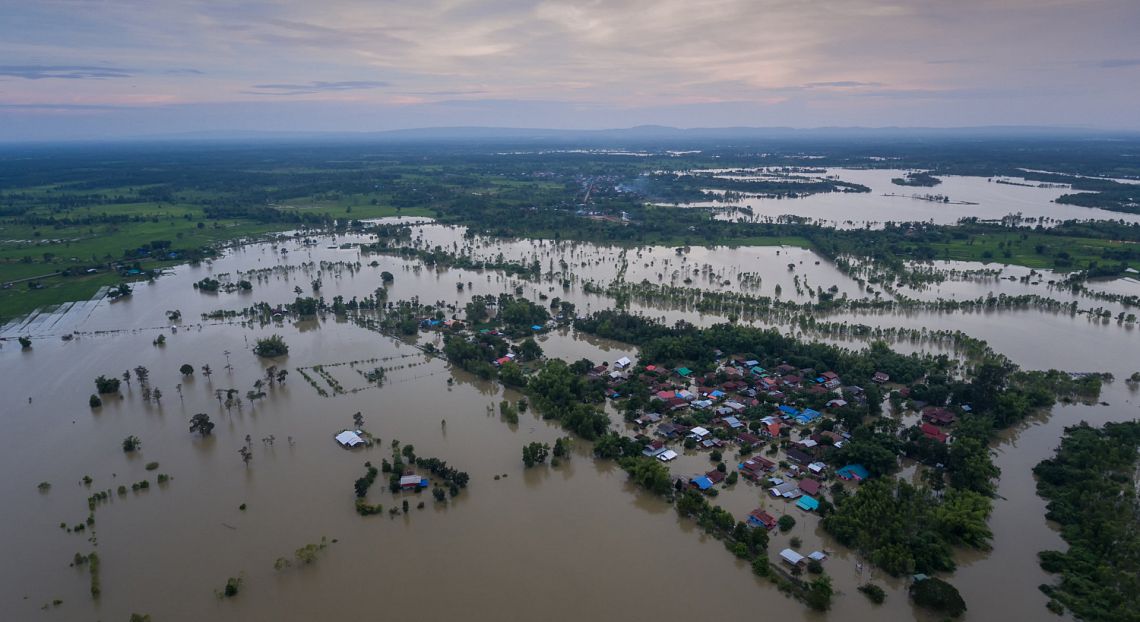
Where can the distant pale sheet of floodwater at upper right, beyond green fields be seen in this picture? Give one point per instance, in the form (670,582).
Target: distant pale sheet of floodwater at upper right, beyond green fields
(970,198)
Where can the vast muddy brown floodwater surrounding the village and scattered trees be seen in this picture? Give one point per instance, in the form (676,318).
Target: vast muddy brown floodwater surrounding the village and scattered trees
(560,543)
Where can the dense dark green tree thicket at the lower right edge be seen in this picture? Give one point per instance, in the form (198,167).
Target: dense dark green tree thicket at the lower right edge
(1092,489)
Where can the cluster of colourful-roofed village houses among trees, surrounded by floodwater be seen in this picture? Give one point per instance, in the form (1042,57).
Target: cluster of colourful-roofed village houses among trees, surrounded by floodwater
(778,428)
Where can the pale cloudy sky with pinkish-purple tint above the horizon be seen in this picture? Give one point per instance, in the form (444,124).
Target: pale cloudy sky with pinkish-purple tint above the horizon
(116,69)
